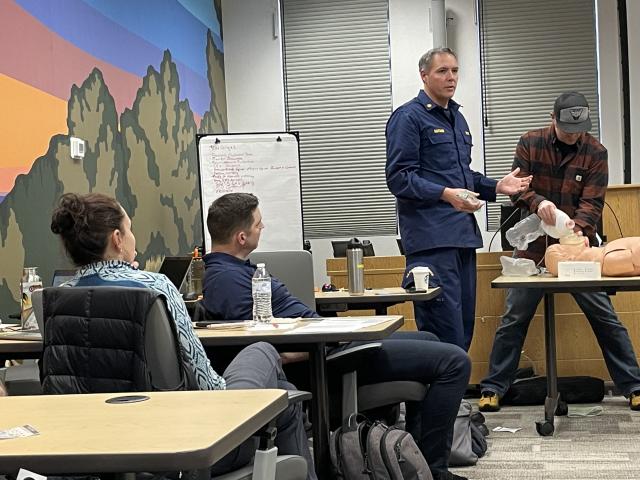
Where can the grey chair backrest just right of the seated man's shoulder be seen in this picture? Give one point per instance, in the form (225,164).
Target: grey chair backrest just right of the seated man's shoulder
(294,268)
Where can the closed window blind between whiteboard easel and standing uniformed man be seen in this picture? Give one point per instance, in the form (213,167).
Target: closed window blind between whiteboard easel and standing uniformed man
(338,97)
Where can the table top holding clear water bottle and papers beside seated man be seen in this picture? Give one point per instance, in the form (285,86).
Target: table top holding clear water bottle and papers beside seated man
(388,324)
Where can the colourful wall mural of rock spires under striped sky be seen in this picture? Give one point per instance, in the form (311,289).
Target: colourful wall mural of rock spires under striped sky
(136,81)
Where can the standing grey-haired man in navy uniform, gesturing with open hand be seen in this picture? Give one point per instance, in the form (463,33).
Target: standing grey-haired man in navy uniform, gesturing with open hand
(428,171)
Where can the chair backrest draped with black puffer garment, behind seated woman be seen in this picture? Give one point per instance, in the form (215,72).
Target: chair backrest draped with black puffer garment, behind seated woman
(102,339)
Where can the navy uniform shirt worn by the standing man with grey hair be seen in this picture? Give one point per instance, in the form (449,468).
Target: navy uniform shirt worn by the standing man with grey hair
(427,152)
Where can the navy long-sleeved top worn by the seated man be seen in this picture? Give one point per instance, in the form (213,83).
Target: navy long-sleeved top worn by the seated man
(227,290)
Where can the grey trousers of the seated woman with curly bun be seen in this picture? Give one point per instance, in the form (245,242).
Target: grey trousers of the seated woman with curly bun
(258,366)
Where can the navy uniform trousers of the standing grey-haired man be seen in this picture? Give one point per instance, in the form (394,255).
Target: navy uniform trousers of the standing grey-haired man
(451,315)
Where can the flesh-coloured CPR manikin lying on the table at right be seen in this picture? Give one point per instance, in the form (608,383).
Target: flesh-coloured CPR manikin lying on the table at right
(618,258)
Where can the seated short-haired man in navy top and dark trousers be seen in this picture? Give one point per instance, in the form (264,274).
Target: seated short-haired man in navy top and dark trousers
(235,223)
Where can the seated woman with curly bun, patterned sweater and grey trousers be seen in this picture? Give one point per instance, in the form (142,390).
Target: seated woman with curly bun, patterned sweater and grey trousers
(96,233)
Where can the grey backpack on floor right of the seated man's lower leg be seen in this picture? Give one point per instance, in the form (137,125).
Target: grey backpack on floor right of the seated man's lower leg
(469,433)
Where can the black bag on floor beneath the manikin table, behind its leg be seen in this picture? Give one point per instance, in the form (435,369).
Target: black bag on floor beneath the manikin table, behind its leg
(533,391)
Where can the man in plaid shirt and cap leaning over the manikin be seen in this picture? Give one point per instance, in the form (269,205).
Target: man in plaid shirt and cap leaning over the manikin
(569,169)
